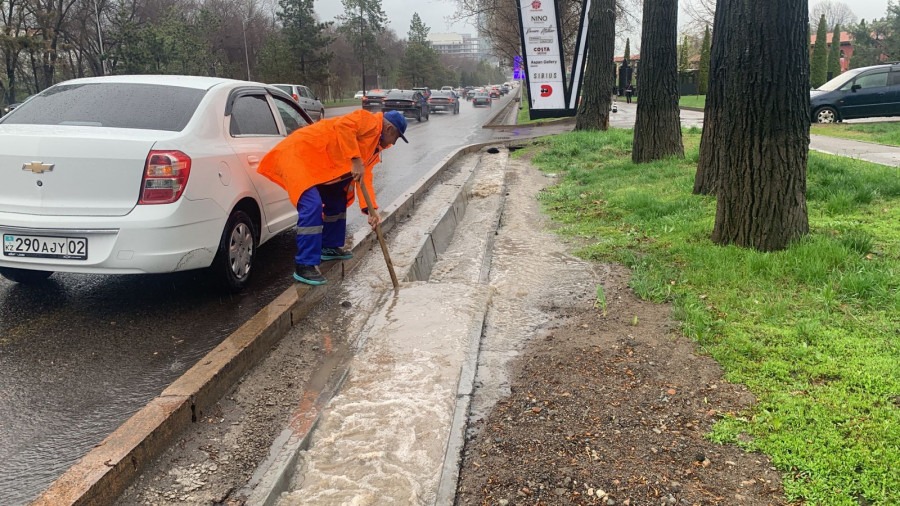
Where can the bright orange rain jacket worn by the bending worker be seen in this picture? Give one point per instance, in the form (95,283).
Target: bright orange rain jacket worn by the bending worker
(321,152)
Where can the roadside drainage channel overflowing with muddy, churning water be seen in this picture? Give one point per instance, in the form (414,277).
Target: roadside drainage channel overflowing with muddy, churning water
(394,432)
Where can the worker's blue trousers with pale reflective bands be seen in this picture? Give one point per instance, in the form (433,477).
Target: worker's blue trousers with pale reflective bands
(321,221)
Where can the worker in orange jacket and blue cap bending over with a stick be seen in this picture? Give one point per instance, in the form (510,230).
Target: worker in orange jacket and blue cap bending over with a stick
(320,166)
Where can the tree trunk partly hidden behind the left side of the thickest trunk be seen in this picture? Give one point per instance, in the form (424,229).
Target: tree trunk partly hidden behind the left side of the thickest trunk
(707,176)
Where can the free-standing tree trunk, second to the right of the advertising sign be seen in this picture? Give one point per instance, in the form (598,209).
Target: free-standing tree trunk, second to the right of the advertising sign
(657,127)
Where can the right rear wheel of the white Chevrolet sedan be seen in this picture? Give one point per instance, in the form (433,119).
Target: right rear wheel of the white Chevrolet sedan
(234,258)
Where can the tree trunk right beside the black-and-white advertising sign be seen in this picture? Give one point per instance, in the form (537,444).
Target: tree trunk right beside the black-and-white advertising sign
(593,111)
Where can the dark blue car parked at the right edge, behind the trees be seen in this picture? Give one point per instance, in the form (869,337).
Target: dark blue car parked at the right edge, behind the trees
(859,93)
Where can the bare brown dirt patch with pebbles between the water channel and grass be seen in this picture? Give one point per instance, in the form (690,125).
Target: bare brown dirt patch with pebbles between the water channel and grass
(612,409)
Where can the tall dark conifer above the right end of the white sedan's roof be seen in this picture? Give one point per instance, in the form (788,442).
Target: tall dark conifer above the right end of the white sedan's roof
(307,40)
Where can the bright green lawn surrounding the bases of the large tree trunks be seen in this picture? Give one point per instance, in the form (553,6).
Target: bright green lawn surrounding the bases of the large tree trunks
(813,331)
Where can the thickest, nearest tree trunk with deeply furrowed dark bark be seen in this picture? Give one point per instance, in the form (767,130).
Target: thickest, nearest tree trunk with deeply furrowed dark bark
(762,190)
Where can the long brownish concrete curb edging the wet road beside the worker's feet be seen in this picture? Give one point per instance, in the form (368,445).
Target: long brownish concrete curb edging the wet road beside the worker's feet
(103,473)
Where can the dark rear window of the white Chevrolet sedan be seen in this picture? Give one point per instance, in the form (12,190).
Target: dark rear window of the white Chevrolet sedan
(112,105)
